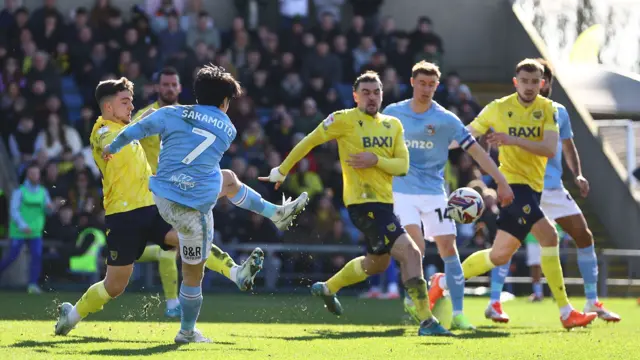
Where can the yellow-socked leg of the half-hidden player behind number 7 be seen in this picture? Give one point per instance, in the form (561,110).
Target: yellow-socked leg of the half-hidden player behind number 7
(168,270)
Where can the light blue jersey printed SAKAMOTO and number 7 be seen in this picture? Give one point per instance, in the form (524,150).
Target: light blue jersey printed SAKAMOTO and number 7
(194,138)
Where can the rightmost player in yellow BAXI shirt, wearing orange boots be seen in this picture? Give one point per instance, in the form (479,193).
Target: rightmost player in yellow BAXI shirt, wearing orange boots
(524,126)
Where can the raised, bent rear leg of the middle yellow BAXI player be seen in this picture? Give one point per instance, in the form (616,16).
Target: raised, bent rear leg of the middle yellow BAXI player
(352,273)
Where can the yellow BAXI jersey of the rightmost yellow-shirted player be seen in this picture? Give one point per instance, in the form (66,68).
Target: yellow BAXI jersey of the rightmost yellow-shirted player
(507,115)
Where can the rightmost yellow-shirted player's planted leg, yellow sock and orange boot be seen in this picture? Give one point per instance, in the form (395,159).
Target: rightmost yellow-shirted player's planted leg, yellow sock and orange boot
(546,234)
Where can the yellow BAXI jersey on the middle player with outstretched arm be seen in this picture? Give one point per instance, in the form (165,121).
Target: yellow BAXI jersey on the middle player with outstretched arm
(357,132)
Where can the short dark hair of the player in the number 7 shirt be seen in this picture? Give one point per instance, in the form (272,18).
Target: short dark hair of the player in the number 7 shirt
(213,84)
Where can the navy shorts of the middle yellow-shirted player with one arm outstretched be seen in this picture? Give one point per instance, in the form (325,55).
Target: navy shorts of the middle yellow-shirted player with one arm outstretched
(379,224)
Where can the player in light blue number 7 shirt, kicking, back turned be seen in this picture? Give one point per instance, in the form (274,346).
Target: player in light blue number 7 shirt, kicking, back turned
(189,180)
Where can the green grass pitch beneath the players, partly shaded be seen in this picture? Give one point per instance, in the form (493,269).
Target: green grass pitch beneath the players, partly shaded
(298,327)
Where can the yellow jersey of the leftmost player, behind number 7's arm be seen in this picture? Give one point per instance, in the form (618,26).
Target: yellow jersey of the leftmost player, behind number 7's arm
(125,178)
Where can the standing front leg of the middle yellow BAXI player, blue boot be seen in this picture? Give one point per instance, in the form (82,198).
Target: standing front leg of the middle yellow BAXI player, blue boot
(408,255)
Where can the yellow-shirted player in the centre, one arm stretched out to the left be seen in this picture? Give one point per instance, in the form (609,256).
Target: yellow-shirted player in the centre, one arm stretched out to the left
(371,150)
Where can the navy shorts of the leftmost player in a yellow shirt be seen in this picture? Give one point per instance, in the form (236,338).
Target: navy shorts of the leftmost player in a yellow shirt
(128,233)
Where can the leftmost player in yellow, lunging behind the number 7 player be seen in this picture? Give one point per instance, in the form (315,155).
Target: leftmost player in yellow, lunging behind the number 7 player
(132,218)
